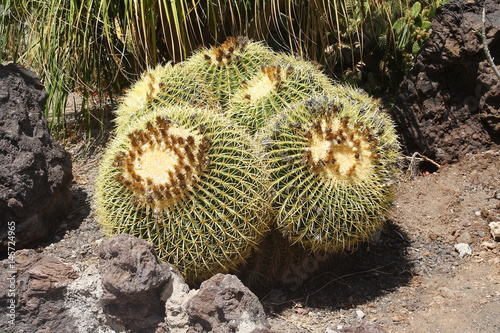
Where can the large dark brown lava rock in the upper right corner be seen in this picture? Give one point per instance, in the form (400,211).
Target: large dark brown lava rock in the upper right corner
(448,104)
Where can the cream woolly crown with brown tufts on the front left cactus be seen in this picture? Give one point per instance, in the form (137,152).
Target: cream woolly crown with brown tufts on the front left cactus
(162,162)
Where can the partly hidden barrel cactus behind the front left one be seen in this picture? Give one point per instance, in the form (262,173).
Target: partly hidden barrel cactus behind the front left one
(163,86)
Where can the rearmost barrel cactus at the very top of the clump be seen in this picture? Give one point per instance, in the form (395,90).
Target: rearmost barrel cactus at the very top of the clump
(226,67)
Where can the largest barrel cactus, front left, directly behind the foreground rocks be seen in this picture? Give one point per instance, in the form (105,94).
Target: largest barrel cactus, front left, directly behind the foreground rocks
(203,215)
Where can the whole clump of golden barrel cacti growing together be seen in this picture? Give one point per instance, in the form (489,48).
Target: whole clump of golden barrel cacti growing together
(214,154)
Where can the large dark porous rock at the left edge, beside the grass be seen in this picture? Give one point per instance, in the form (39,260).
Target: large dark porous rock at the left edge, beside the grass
(35,172)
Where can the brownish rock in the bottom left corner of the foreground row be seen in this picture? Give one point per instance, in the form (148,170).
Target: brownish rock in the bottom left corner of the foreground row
(36,284)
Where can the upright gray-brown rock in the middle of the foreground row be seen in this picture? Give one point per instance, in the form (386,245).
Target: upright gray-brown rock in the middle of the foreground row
(133,280)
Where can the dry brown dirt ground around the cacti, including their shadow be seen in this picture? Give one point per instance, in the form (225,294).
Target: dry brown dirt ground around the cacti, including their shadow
(410,279)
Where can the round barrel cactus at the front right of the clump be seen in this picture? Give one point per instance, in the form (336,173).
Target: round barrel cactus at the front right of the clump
(333,168)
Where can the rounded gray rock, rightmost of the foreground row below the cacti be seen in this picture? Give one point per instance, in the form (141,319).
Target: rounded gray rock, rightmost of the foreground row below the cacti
(224,304)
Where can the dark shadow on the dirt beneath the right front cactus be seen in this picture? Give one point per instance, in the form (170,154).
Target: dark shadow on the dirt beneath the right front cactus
(347,280)
